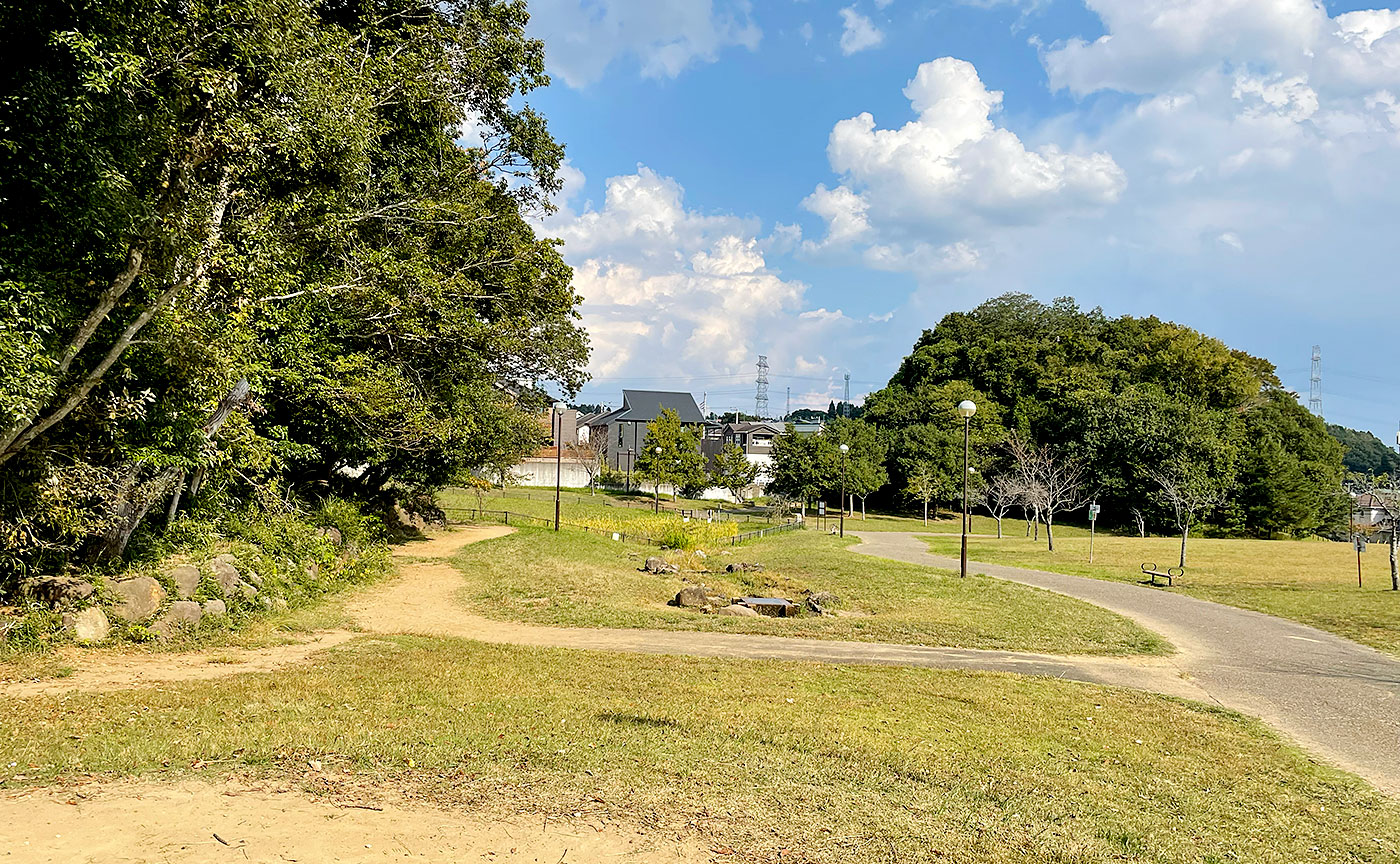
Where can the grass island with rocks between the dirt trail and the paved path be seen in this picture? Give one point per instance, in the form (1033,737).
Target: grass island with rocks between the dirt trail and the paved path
(582,580)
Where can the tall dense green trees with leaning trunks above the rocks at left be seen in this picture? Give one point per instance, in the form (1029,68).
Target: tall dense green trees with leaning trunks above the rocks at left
(244,261)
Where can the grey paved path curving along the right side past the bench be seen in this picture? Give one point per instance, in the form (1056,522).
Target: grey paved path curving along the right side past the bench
(1335,697)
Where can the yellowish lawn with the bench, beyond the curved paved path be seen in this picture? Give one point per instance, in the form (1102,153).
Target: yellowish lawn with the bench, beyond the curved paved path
(1310,582)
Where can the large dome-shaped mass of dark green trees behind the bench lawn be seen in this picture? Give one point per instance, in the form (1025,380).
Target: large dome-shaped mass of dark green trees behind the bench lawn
(1129,397)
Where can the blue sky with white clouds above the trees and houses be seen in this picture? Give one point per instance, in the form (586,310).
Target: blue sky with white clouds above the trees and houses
(821,181)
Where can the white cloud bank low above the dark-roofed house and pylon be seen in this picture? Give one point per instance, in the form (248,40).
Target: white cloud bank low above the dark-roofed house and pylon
(673,292)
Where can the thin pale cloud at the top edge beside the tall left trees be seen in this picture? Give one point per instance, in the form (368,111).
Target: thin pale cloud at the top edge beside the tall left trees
(583,39)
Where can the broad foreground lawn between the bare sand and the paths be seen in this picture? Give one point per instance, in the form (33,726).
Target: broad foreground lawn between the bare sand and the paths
(829,764)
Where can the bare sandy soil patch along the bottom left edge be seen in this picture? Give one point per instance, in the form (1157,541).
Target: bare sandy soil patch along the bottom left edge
(237,820)
